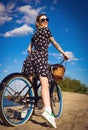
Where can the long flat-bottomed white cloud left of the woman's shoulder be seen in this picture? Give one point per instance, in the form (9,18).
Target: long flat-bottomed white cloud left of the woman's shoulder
(21,31)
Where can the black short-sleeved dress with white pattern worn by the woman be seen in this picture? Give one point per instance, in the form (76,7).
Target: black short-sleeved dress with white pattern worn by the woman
(37,62)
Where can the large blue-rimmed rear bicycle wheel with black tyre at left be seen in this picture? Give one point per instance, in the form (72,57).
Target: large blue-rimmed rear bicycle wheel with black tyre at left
(13,100)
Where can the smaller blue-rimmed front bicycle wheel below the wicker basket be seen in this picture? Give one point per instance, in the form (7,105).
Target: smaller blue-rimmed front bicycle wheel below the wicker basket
(56,100)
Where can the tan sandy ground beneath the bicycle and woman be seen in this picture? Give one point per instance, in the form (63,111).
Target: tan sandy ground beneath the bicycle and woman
(74,116)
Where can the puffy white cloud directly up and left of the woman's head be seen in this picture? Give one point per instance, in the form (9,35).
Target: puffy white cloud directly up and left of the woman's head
(29,14)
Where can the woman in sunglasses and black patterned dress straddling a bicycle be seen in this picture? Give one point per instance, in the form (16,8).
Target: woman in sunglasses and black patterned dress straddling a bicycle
(37,62)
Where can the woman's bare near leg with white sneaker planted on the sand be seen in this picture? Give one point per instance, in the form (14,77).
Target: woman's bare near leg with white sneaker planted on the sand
(47,114)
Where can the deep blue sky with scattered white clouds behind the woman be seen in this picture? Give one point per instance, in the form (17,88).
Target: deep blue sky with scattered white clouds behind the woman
(68,24)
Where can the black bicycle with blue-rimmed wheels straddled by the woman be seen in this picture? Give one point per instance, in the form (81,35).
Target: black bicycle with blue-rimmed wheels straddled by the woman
(17,92)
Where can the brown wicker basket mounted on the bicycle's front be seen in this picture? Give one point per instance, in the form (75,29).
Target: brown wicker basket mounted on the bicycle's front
(58,72)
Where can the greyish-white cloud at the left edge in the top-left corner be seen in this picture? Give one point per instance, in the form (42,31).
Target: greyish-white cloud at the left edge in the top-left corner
(5,12)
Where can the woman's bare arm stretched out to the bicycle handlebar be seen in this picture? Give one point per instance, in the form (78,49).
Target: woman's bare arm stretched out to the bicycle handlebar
(58,47)
